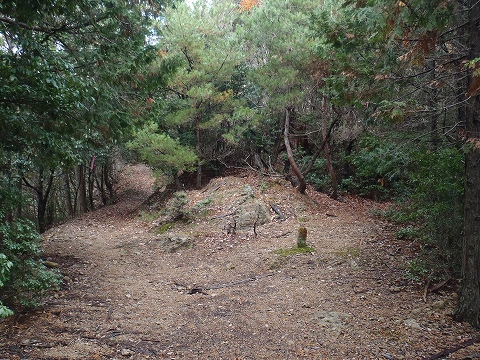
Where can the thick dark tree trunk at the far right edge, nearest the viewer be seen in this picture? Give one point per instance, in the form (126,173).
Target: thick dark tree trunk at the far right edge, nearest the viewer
(468,308)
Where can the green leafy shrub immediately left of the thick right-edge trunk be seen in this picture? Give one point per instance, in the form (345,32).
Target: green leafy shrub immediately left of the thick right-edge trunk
(432,214)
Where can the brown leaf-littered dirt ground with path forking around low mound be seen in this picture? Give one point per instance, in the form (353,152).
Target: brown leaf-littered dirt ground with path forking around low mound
(139,288)
